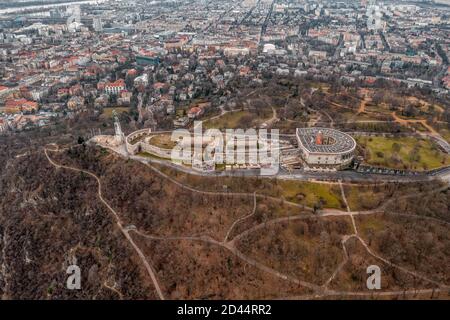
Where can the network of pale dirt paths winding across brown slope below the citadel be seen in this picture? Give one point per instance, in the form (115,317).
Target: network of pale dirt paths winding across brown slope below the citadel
(231,245)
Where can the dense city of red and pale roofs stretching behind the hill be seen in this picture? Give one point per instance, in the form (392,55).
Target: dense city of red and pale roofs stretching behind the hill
(60,61)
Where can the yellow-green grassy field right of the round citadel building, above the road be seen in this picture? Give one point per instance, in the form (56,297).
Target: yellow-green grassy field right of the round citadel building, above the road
(403,153)
